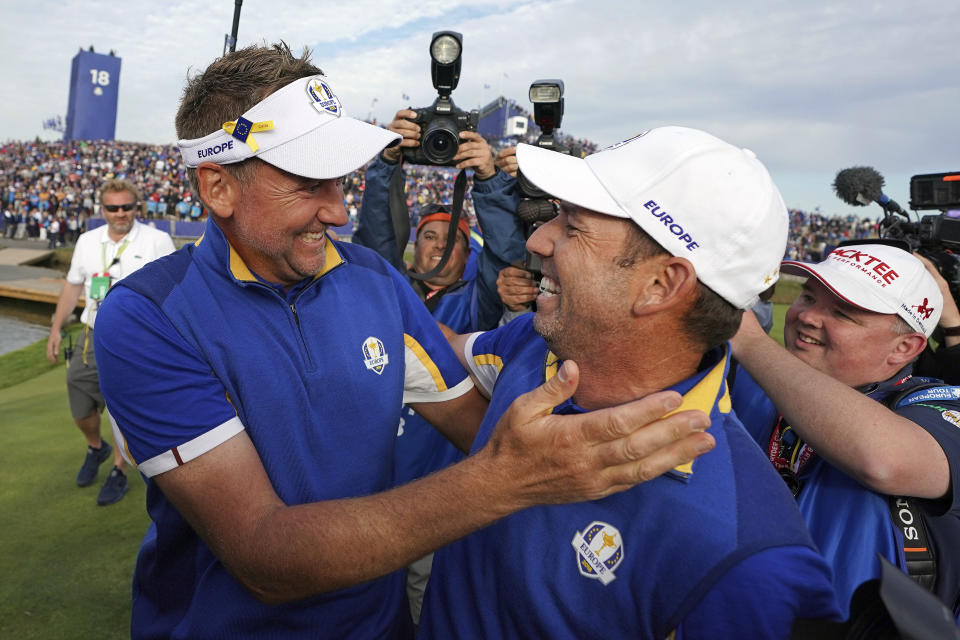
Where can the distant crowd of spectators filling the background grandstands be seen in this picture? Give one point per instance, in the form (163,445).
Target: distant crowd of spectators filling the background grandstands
(49,190)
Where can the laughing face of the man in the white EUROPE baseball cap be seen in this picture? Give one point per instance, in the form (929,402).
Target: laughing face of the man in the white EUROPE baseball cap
(584,292)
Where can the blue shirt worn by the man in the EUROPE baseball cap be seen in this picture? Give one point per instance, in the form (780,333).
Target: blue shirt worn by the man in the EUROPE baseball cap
(716,549)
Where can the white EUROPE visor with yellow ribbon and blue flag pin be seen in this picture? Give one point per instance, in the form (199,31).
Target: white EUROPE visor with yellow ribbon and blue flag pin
(300,128)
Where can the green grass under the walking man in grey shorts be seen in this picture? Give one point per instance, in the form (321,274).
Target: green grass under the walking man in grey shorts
(65,563)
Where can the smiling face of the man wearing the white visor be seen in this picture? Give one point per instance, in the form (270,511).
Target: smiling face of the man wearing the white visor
(278,225)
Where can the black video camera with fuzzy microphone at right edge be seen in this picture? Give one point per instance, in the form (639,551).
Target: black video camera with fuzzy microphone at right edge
(935,237)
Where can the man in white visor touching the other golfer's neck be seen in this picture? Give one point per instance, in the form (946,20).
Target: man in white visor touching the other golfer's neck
(269,364)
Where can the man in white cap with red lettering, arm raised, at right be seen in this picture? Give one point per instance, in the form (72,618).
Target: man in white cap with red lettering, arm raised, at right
(849,427)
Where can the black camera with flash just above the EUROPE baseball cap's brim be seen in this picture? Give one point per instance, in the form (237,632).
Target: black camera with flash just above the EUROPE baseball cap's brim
(535,207)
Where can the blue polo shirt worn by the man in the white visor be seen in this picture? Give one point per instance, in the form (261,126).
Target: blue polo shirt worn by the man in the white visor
(195,348)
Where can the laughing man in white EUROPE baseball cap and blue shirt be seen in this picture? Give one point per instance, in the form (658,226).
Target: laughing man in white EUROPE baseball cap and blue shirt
(659,244)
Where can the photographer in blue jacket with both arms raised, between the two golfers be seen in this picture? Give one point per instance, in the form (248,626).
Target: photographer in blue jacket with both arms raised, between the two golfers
(461,296)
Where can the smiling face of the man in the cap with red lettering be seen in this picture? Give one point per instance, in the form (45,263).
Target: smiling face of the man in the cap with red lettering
(852,345)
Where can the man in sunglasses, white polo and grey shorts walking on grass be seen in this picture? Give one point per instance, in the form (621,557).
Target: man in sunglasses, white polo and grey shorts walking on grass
(101,258)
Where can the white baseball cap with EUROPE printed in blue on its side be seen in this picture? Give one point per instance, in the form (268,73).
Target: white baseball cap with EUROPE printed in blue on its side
(699,197)
